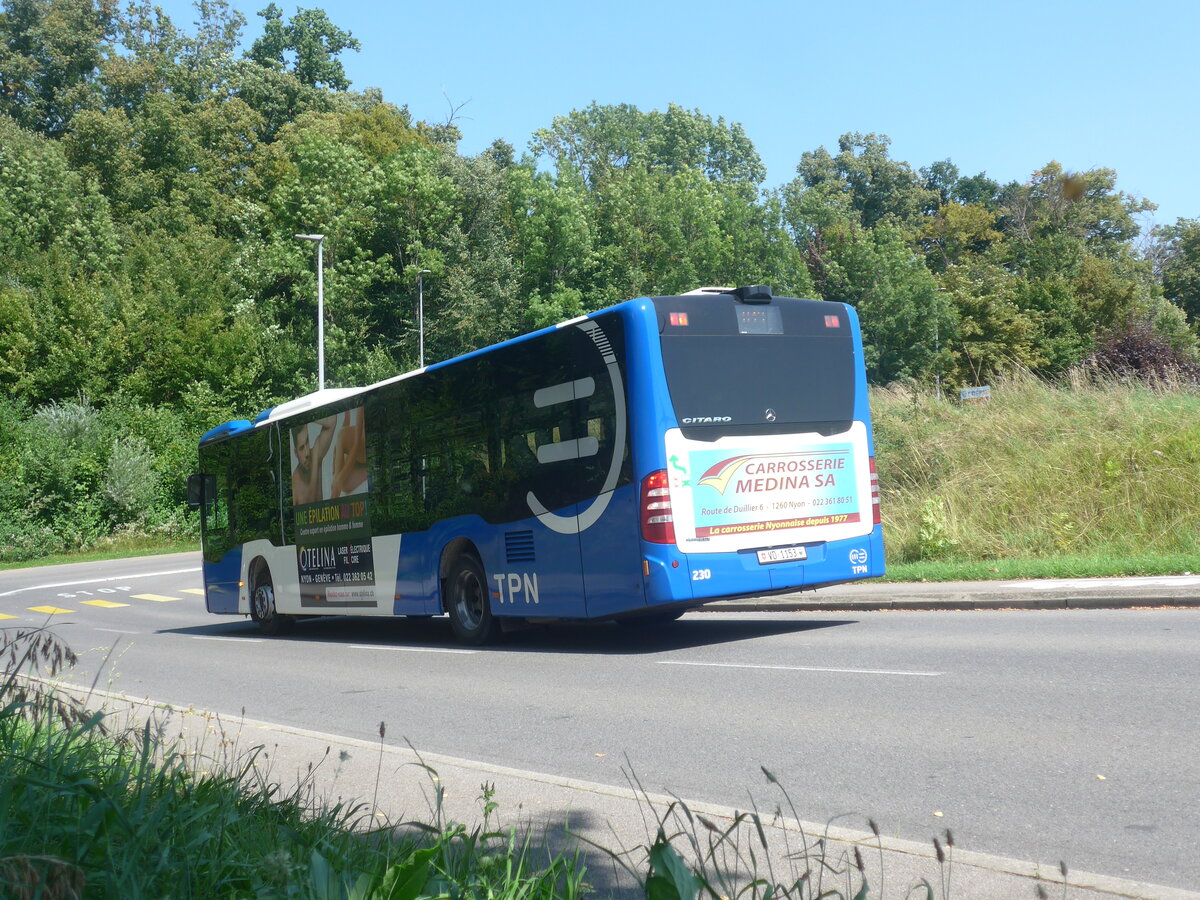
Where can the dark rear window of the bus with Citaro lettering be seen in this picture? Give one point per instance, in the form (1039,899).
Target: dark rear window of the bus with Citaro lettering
(733,368)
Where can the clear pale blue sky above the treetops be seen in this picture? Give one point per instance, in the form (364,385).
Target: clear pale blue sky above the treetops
(998,88)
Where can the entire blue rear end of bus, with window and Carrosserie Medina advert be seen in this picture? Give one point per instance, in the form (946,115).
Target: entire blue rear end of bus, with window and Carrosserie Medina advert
(763,477)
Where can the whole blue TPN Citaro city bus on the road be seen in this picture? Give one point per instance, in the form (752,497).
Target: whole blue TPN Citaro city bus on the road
(628,465)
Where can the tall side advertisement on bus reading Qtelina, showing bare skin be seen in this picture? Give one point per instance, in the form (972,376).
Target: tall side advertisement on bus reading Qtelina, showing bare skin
(331,502)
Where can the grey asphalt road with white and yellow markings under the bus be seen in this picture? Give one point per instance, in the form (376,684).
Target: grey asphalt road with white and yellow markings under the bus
(1037,735)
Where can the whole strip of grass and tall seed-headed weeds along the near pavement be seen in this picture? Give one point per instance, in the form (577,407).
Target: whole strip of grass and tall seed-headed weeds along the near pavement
(89,809)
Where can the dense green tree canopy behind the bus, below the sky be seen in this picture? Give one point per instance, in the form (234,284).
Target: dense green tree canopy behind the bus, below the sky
(152,179)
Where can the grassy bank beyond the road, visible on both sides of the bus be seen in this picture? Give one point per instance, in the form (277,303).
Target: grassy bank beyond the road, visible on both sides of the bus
(1043,481)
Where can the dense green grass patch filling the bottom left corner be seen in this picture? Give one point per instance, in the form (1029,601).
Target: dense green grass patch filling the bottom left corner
(87,812)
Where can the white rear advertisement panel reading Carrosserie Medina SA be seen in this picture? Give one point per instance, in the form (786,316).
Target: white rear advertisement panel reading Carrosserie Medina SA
(731,494)
